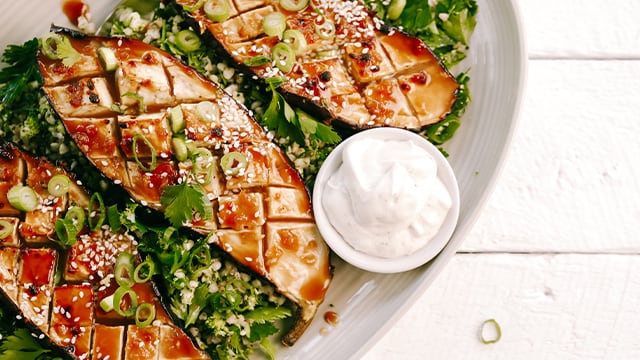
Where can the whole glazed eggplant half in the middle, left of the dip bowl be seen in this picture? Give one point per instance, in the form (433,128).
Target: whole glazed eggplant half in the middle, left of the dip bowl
(161,130)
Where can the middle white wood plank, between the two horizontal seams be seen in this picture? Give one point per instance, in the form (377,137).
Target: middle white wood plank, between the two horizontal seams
(570,182)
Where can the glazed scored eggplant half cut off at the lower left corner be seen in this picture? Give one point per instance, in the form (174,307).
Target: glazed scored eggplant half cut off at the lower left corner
(57,289)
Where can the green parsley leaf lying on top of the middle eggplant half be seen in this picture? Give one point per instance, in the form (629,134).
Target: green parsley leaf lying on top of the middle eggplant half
(181,201)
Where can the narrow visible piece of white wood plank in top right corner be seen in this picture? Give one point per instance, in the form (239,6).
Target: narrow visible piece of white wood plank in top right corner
(582,28)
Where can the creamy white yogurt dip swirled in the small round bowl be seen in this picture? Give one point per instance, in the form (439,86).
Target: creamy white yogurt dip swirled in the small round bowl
(385,199)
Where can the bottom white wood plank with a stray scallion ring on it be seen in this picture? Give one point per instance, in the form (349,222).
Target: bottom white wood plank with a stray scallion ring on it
(548,306)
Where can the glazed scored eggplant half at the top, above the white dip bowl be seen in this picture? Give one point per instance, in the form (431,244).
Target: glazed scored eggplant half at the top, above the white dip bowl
(340,61)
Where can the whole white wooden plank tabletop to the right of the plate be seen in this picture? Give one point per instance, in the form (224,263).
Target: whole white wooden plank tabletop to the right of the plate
(555,255)
